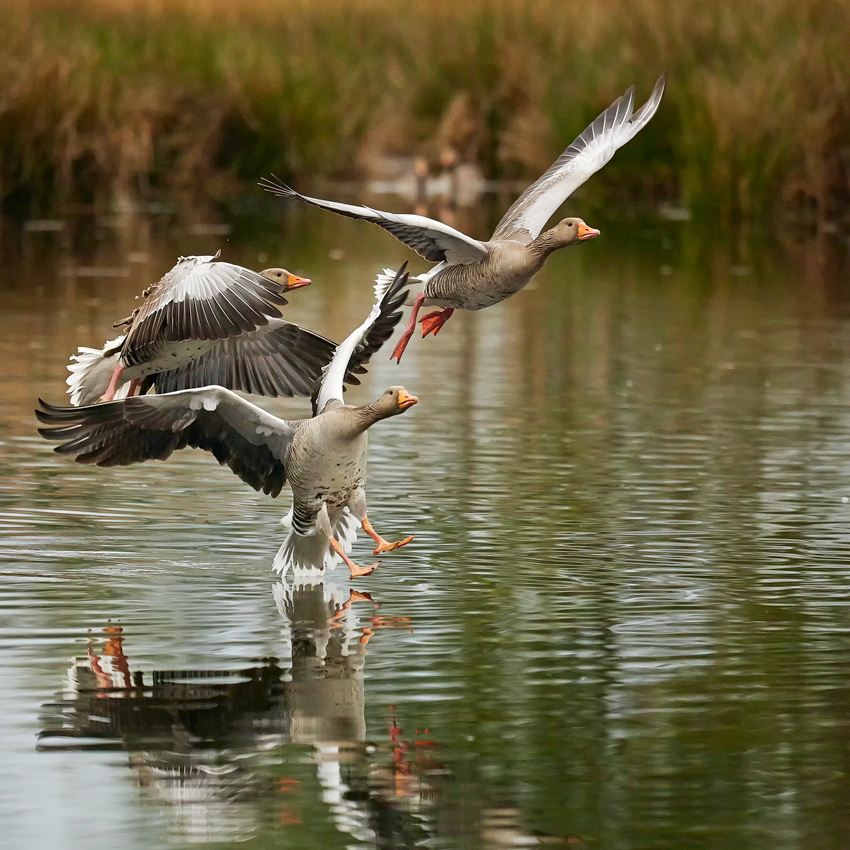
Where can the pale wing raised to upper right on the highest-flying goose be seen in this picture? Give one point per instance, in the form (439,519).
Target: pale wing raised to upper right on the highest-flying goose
(584,157)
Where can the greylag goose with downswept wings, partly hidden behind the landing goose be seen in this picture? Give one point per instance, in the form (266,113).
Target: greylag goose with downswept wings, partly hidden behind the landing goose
(206,322)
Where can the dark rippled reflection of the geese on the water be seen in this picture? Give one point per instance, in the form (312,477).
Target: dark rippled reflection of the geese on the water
(278,744)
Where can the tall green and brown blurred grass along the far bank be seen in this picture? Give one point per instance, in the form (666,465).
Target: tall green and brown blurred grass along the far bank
(106,101)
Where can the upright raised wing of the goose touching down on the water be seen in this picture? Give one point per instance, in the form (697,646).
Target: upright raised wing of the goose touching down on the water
(356,349)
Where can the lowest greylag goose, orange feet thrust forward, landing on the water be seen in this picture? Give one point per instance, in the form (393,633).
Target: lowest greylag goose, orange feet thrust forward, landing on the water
(323,458)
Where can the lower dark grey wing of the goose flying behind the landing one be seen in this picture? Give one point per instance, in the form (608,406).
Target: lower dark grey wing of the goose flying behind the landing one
(280,359)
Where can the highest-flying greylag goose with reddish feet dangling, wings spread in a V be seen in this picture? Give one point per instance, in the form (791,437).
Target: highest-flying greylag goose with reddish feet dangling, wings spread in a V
(470,274)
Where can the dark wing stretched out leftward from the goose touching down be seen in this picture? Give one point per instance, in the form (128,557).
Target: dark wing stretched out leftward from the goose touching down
(253,443)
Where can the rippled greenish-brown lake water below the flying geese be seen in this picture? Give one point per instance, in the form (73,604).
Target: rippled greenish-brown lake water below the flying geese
(624,621)
